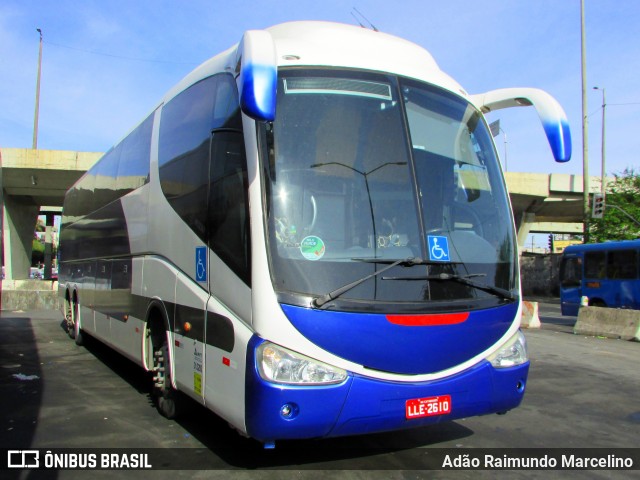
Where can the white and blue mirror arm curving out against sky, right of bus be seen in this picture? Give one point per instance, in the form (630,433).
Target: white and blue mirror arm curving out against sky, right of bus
(551,114)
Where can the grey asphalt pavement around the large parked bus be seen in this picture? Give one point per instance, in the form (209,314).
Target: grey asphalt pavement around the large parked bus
(582,392)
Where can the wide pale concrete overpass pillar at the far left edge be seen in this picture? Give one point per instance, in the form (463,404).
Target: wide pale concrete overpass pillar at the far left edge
(19,225)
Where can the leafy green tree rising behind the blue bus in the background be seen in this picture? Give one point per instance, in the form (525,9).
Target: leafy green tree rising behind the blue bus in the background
(621,209)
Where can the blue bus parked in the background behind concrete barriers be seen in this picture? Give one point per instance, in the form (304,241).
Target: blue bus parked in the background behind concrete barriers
(608,274)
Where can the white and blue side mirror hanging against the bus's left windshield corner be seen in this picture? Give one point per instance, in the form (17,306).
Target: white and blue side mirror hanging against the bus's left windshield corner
(258,75)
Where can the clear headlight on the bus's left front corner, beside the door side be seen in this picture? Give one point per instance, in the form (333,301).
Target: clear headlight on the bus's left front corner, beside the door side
(281,365)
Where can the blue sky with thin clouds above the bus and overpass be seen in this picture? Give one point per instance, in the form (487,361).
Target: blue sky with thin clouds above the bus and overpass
(106,63)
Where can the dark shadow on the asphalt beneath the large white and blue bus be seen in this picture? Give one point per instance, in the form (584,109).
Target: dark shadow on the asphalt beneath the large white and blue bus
(226,449)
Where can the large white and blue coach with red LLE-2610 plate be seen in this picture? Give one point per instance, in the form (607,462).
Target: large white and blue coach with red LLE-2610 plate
(311,236)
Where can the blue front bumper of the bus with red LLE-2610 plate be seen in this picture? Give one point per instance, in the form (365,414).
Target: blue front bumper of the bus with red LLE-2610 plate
(362,405)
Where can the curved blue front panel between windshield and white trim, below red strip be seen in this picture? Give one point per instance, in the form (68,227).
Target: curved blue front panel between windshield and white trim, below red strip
(373,341)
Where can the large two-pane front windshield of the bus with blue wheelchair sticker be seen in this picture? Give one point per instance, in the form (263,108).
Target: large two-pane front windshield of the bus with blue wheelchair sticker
(364,170)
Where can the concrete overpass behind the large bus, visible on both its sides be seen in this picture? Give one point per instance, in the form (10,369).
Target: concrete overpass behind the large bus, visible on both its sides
(34,182)
